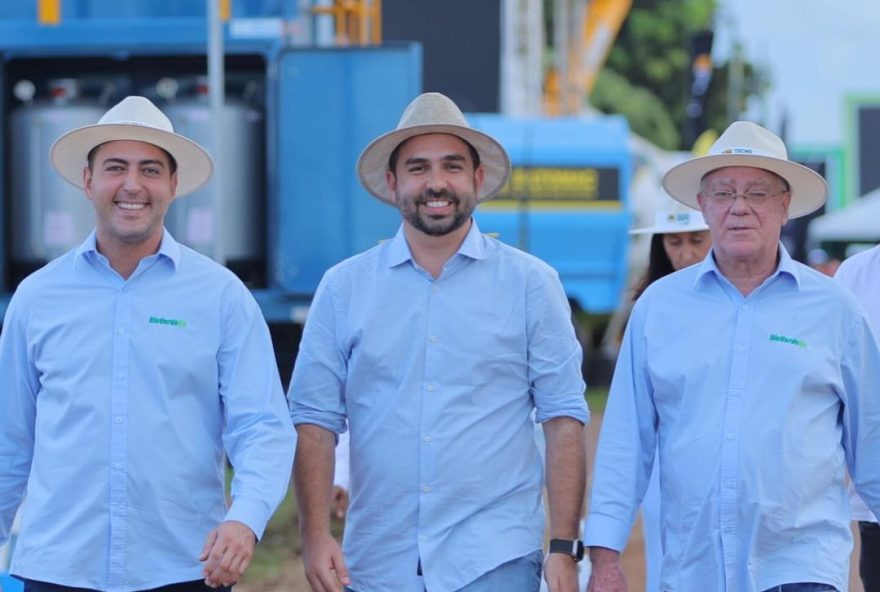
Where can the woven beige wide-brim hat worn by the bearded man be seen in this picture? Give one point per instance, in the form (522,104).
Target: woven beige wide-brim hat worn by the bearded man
(433,113)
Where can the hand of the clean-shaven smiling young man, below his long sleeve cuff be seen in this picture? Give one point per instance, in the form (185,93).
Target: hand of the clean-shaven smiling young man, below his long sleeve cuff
(227,553)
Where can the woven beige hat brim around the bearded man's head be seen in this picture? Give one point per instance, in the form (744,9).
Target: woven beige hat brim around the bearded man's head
(373,161)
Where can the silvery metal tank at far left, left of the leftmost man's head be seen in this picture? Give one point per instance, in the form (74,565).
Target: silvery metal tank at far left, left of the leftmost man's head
(49,216)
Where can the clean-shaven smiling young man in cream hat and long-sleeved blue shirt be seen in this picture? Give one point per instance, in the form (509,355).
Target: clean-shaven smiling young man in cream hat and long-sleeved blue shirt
(130,365)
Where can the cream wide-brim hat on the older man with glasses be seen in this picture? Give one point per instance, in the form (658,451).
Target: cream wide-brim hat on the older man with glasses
(747,144)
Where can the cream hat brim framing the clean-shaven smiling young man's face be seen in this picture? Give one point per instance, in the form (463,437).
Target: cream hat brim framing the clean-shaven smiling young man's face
(69,153)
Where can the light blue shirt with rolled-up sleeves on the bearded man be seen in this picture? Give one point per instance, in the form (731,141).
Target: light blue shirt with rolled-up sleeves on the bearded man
(437,380)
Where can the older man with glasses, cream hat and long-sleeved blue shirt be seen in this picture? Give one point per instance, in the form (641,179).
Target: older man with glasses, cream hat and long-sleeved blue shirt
(755,378)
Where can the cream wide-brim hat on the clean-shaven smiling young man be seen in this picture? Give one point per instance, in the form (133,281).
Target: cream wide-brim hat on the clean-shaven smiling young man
(134,118)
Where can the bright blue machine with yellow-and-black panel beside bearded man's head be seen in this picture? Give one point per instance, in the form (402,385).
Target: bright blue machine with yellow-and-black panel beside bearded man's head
(567,201)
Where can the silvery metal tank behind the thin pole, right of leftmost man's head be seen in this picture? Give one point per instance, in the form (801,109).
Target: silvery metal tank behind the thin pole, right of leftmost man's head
(233,230)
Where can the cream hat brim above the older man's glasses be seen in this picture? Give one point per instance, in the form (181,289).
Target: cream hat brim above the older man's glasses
(808,189)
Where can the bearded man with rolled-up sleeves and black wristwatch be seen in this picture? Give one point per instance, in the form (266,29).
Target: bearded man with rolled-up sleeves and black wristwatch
(433,349)
